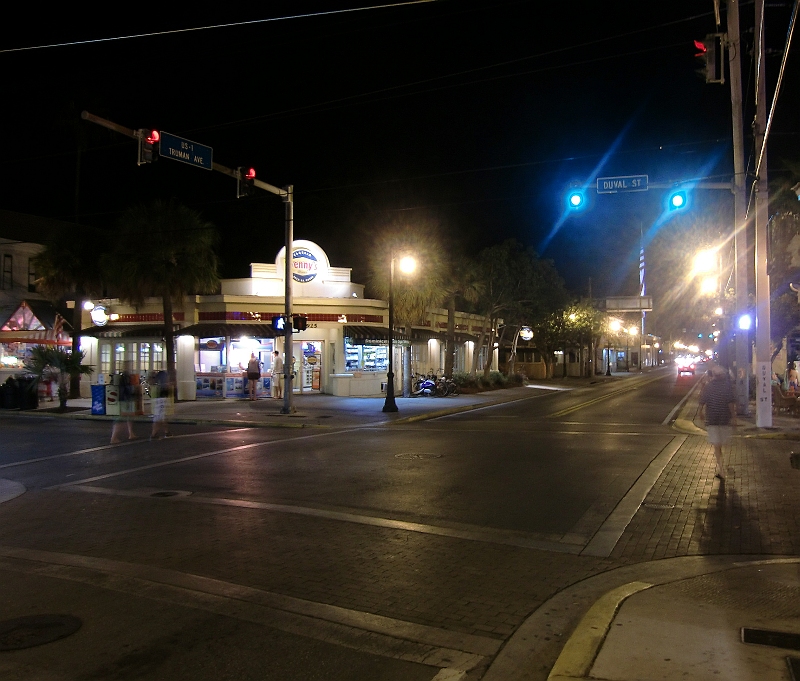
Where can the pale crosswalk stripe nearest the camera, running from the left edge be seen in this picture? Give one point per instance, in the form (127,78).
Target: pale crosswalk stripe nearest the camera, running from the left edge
(354,629)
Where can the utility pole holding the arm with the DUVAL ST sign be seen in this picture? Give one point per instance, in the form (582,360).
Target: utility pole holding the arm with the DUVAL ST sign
(740,245)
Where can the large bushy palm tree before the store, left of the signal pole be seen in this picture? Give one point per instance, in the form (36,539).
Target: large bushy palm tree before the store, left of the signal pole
(165,250)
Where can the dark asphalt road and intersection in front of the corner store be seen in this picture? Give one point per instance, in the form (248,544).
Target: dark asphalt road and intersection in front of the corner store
(401,552)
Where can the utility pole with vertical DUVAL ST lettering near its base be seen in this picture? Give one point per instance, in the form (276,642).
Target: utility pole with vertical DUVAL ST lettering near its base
(763,354)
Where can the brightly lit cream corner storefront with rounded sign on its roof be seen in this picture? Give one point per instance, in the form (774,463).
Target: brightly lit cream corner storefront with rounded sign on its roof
(343,350)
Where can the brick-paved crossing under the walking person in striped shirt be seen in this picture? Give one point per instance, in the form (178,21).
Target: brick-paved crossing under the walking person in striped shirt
(689,512)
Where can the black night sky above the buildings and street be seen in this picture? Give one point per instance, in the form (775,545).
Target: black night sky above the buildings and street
(473,114)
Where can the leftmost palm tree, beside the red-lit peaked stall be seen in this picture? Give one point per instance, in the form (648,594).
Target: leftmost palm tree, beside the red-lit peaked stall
(68,265)
